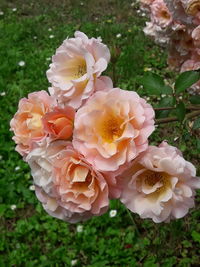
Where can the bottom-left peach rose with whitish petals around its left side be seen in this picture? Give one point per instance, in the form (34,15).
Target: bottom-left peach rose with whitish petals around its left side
(67,185)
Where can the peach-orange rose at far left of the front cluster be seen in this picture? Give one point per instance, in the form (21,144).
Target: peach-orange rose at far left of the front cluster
(27,121)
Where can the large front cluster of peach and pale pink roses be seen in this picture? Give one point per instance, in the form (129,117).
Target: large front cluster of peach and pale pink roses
(87,143)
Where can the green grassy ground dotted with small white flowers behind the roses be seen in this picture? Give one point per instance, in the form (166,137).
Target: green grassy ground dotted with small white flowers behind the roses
(30,31)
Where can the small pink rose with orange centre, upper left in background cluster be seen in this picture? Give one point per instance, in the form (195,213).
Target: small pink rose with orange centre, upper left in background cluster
(160,13)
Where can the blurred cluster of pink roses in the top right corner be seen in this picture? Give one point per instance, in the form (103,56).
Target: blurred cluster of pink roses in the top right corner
(176,24)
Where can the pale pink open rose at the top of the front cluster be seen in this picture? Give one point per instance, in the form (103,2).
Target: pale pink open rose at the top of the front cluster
(75,69)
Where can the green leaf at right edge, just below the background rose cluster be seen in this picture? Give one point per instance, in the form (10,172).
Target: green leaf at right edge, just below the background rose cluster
(185,80)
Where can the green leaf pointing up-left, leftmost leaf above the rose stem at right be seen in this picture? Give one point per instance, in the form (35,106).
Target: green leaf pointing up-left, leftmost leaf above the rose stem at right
(154,84)
